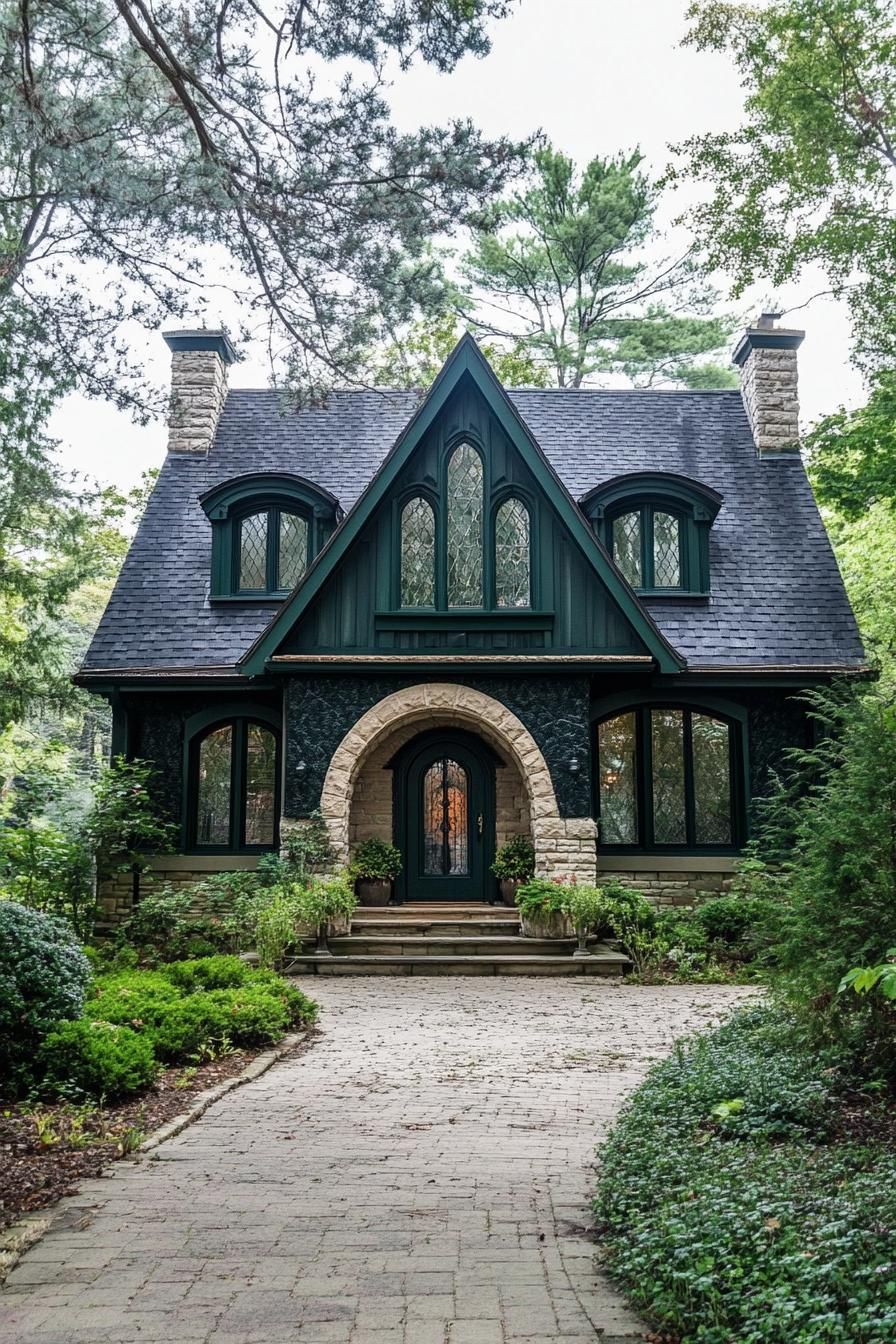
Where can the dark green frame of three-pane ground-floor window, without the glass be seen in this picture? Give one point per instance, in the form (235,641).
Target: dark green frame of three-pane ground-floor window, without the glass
(643,721)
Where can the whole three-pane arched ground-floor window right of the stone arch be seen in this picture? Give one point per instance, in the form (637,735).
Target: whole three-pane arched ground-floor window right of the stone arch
(668,779)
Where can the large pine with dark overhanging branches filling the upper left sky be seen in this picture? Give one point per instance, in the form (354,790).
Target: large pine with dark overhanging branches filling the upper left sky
(150,151)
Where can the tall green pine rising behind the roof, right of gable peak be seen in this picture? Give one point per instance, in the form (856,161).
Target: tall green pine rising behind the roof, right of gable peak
(564,267)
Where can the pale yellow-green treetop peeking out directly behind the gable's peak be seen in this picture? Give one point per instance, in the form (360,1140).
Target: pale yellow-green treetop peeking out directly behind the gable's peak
(416,357)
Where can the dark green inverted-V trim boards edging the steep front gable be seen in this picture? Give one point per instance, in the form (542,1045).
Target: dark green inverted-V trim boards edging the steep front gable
(467,361)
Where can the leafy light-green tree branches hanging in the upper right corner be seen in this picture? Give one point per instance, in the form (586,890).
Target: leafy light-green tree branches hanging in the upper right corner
(809,177)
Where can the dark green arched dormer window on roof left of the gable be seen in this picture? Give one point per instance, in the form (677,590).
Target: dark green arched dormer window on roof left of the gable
(267,530)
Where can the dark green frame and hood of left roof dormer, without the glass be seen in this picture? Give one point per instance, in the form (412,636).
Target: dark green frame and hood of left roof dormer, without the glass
(230,505)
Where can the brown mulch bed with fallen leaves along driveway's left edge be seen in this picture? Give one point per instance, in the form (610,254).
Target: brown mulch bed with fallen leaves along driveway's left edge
(46,1150)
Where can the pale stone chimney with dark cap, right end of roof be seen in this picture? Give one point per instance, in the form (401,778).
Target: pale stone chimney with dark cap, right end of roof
(768,360)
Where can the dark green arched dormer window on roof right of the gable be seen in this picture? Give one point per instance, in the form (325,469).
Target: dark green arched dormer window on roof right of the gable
(656,526)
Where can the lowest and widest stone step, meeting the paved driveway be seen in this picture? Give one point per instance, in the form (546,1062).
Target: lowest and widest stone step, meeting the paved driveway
(600,964)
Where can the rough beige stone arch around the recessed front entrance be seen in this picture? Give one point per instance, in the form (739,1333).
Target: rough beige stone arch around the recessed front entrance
(562,845)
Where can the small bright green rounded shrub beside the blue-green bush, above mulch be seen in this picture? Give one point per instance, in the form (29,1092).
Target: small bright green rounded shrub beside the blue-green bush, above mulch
(96,1060)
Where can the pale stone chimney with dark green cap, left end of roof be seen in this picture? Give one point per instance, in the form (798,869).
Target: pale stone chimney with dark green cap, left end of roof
(199,362)
